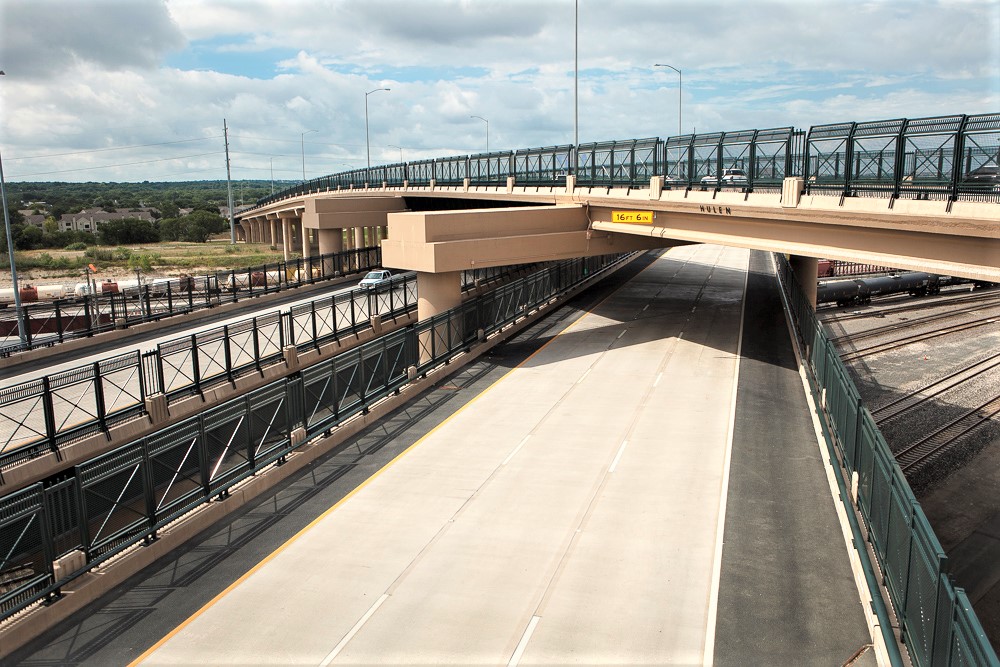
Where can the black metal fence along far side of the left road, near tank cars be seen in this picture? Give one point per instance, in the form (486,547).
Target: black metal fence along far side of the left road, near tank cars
(49,323)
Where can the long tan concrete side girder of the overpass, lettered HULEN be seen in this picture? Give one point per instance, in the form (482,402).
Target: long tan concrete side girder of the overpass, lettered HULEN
(960,238)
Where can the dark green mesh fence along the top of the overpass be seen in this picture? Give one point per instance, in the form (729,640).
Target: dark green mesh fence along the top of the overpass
(924,158)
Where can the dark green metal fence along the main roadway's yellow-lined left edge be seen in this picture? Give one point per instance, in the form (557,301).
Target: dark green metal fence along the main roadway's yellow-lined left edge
(122,498)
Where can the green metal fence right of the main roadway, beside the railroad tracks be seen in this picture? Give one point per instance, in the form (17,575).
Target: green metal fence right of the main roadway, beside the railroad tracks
(935,617)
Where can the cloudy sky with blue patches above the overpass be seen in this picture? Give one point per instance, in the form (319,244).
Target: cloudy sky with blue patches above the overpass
(132,90)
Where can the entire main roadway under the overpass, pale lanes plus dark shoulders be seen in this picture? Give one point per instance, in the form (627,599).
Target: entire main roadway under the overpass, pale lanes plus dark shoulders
(582,508)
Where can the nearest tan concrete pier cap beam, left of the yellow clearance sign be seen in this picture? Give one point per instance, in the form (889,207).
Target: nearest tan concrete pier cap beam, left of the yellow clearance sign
(440,242)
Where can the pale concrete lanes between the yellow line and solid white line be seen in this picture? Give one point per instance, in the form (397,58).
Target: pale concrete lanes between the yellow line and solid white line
(561,500)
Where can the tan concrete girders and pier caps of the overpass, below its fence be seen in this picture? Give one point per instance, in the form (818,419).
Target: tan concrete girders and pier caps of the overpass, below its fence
(442,230)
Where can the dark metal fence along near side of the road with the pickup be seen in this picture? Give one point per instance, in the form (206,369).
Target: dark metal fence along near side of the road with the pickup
(44,414)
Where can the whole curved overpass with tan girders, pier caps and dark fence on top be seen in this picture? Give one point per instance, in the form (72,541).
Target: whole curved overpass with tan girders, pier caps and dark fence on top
(914,194)
